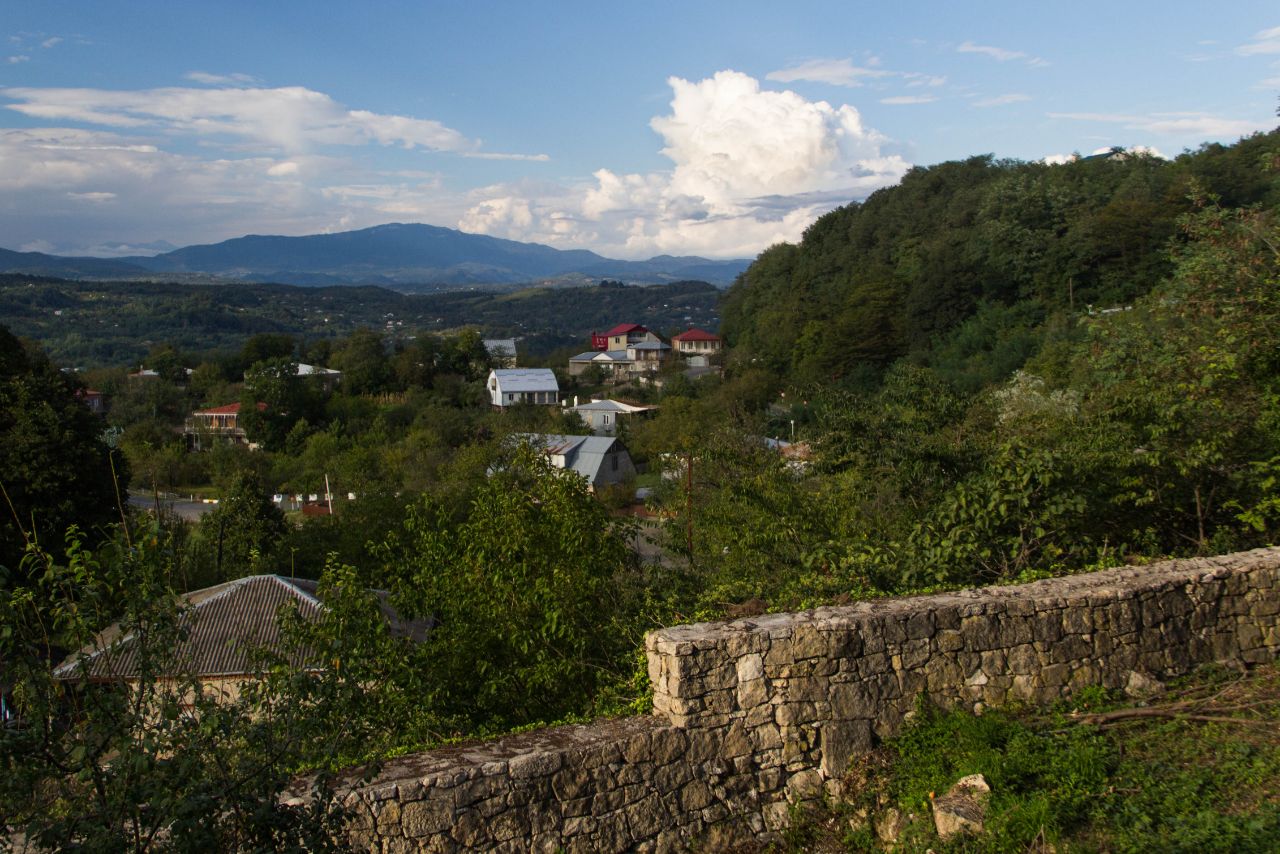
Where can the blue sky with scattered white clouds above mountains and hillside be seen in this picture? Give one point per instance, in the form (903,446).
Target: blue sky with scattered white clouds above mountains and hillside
(684,129)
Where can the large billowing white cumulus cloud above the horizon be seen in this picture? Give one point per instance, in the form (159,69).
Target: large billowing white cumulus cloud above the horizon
(749,168)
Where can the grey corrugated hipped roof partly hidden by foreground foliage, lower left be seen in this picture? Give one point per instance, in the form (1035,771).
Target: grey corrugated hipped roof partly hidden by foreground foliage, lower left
(226,625)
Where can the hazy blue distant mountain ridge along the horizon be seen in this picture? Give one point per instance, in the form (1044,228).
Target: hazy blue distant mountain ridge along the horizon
(392,255)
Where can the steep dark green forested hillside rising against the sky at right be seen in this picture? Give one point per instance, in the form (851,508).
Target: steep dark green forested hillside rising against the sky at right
(966,264)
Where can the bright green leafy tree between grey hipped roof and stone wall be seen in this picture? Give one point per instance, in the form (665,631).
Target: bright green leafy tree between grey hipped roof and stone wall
(529,586)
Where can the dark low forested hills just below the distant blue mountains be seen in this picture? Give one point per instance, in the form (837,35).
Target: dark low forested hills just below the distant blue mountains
(116,323)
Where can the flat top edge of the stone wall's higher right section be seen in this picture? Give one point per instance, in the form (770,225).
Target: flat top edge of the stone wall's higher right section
(1116,581)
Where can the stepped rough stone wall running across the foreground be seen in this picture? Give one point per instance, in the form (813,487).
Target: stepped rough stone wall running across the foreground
(756,715)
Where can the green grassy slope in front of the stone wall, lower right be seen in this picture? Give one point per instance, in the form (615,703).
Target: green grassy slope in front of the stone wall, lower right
(1196,769)
